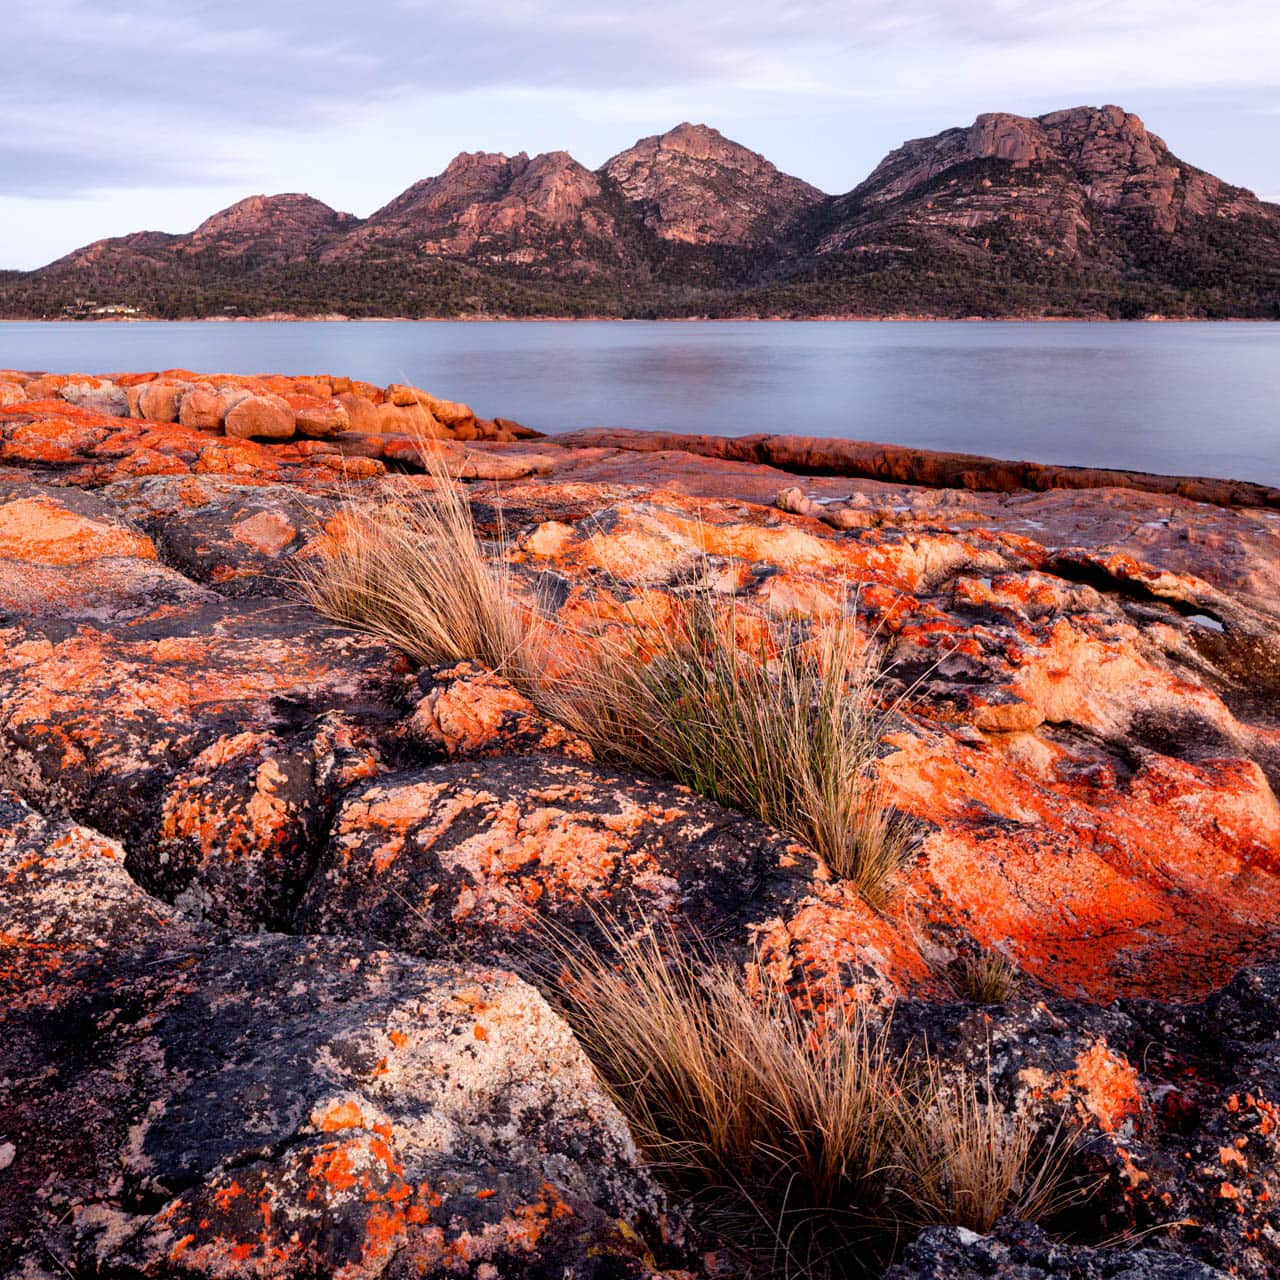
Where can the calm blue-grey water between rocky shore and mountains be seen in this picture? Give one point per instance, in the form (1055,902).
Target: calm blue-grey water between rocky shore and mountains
(1185,399)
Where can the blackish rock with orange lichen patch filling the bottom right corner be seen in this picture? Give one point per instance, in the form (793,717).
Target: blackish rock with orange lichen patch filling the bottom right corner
(1155,1094)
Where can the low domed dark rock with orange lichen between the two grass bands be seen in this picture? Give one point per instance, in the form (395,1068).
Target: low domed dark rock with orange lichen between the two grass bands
(476,852)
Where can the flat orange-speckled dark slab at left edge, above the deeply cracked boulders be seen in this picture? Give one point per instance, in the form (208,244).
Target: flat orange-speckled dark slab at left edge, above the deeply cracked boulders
(98,720)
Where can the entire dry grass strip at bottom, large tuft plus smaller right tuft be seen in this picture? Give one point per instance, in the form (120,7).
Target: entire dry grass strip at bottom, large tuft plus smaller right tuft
(807,1141)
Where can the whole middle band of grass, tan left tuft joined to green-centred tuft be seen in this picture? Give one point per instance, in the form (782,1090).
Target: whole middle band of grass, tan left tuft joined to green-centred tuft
(784,726)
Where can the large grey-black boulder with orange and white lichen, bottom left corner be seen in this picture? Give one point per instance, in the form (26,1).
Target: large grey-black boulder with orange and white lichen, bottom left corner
(292,1105)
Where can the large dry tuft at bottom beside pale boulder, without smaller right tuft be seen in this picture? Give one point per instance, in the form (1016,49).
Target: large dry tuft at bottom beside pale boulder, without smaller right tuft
(784,1137)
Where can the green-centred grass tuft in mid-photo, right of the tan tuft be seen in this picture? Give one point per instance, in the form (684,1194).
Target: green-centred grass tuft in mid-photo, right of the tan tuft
(787,728)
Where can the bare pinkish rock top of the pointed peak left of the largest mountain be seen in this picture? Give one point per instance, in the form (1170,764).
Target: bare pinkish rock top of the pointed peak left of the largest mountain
(694,185)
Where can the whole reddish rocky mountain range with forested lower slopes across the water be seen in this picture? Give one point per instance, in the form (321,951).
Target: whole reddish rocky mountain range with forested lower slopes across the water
(1078,213)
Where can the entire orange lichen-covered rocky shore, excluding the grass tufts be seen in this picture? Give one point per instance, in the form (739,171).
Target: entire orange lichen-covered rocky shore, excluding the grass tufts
(266,883)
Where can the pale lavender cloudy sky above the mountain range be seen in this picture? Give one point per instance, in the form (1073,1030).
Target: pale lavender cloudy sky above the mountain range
(145,115)
